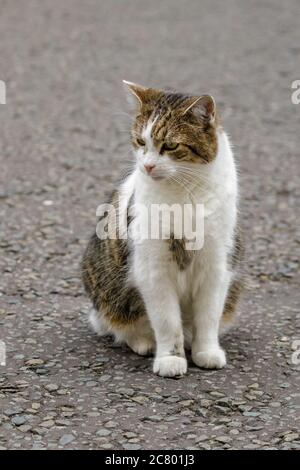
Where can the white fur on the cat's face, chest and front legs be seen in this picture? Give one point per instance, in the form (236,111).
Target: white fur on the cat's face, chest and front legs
(196,296)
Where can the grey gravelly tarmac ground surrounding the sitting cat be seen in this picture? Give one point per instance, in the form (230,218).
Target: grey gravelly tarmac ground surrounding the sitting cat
(63,142)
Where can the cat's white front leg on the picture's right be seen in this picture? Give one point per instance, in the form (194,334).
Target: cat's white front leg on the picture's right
(207,311)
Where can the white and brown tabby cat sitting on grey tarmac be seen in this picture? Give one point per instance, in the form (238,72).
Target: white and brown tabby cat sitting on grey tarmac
(156,295)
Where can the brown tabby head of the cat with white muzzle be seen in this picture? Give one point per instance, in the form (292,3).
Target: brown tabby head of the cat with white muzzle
(172,133)
